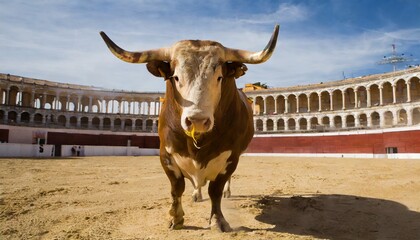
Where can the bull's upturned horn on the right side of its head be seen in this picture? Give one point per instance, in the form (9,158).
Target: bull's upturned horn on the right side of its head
(243,56)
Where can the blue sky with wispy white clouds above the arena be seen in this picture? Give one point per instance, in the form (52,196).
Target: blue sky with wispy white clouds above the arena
(319,40)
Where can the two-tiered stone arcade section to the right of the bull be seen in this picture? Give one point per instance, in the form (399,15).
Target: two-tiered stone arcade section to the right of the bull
(376,101)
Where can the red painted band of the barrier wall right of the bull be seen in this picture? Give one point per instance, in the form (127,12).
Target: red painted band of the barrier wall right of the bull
(404,141)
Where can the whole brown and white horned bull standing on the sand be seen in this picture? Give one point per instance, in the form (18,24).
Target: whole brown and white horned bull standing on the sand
(205,122)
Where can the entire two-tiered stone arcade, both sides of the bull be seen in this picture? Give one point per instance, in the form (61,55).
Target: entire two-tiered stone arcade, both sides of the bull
(376,101)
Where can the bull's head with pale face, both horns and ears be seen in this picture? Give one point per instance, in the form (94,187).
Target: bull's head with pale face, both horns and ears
(196,70)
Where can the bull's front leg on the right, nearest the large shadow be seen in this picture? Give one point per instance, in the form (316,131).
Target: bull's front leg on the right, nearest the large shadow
(217,220)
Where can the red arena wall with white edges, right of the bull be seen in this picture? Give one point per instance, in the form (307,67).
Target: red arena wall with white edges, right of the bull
(392,143)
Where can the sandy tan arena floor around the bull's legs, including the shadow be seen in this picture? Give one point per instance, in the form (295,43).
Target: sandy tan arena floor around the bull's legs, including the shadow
(272,198)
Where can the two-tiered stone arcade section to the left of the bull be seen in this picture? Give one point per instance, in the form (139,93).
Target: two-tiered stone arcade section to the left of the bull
(31,102)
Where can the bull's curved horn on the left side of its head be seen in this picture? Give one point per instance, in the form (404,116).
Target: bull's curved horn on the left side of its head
(161,54)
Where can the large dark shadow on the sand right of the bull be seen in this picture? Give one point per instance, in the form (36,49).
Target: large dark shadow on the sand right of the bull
(339,217)
